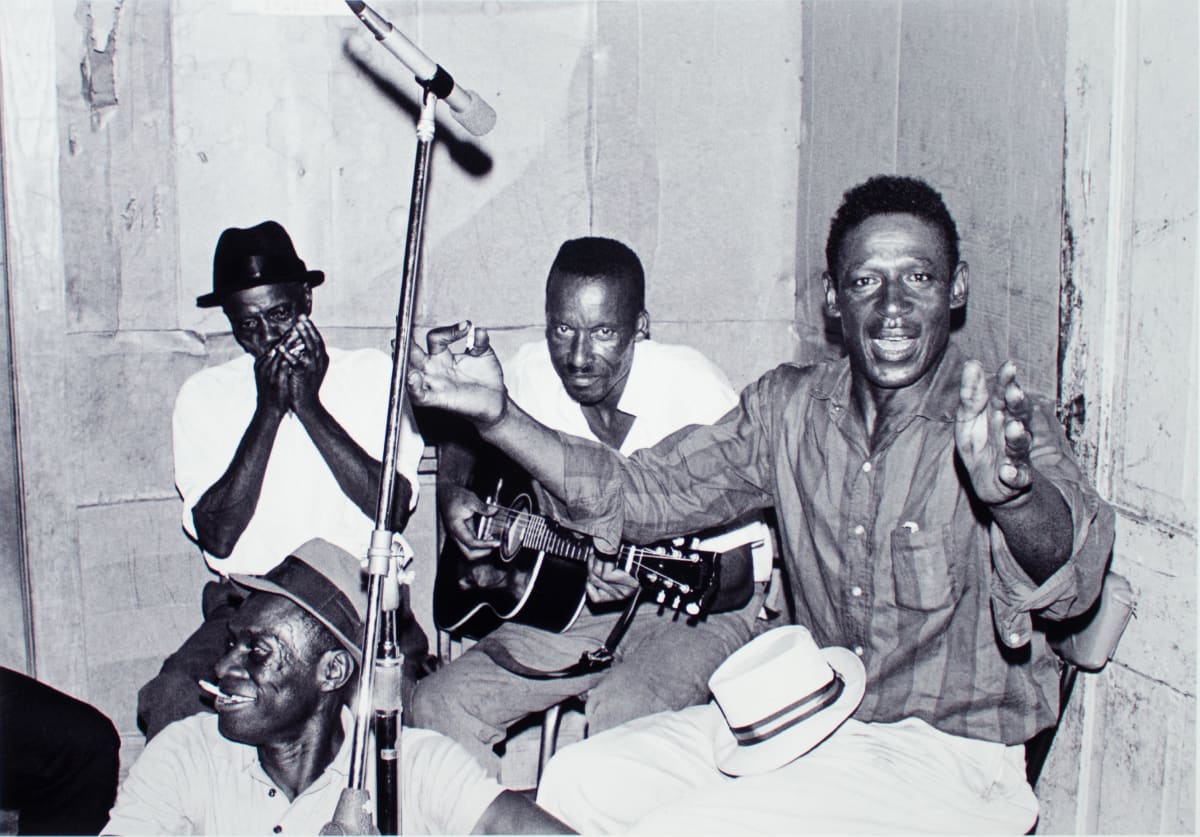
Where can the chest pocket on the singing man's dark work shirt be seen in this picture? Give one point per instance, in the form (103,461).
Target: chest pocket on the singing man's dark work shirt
(926,569)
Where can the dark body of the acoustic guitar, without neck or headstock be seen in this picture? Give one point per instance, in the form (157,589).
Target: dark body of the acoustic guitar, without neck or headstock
(533,587)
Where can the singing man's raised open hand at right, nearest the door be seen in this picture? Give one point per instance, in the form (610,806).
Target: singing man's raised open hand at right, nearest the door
(993,435)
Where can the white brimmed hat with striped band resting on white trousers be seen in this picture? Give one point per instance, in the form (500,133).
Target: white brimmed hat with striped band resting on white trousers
(782,696)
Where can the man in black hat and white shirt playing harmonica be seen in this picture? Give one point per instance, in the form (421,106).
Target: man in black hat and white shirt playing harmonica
(272,449)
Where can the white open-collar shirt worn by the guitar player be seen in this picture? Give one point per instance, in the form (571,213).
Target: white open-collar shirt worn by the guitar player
(669,388)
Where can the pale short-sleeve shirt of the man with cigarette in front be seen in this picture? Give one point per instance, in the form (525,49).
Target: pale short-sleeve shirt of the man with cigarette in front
(194,781)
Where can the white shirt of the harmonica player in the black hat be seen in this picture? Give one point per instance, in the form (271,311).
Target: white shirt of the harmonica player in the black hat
(301,498)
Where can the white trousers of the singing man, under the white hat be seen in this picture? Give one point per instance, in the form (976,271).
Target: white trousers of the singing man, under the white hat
(658,775)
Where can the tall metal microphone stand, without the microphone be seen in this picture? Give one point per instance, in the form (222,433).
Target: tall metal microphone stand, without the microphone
(386,555)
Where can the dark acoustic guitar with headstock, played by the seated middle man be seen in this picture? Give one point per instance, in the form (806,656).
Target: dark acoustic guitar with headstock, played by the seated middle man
(538,575)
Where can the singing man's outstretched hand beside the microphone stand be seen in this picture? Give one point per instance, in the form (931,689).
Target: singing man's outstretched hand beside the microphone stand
(471,383)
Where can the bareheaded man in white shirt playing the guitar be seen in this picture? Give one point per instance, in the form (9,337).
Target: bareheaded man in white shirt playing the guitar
(597,376)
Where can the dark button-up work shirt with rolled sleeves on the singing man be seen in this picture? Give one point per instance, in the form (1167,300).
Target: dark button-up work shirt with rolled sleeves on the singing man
(887,551)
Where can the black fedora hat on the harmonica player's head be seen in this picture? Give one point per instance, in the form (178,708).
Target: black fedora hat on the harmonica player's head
(257,256)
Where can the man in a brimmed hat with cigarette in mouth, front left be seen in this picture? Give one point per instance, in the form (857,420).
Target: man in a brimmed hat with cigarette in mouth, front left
(277,756)
